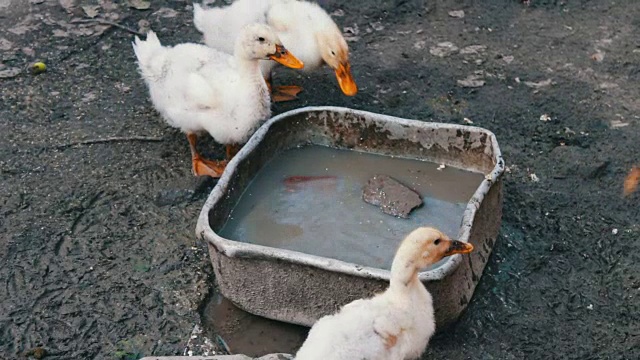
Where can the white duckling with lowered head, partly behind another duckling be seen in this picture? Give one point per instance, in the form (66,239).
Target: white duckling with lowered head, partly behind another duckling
(304,27)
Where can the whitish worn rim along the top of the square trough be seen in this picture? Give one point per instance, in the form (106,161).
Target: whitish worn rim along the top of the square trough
(238,249)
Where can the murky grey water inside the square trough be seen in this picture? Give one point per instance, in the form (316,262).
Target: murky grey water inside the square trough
(310,200)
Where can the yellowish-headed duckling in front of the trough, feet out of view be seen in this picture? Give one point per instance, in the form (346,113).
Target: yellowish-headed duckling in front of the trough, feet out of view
(394,325)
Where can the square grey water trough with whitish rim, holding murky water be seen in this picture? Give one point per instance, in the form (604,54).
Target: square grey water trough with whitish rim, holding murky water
(290,238)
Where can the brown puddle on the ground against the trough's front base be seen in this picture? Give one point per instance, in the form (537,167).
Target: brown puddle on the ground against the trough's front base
(248,334)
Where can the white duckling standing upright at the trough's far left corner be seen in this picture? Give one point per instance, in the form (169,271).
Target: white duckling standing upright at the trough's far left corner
(197,88)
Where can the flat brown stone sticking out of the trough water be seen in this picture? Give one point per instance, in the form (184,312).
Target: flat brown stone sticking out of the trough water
(391,196)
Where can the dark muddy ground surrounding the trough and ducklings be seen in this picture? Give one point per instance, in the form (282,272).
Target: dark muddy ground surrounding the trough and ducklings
(98,254)
